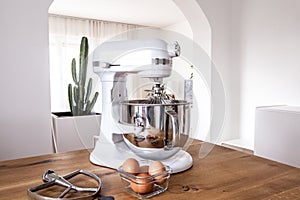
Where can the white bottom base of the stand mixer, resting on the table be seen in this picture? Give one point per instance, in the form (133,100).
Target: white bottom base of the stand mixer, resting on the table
(113,155)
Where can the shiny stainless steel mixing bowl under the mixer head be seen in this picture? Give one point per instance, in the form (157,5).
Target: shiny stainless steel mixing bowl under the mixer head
(164,127)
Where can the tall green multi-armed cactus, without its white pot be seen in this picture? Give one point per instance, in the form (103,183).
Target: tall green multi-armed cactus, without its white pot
(79,95)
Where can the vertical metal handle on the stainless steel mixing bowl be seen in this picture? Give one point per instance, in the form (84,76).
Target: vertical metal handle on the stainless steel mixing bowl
(169,144)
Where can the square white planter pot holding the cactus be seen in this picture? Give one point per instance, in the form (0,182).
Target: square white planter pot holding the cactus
(74,132)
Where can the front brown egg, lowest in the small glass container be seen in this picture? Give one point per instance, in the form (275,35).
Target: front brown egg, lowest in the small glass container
(142,184)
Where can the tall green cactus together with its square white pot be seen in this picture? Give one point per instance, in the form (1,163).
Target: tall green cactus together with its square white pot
(75,129)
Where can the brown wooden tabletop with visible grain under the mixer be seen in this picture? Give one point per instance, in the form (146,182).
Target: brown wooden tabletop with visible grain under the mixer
(222,174)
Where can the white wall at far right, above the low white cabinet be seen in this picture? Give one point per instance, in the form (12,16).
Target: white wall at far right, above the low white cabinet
(269,50)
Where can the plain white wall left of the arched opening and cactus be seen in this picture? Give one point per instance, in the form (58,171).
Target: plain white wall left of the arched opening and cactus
(25,102)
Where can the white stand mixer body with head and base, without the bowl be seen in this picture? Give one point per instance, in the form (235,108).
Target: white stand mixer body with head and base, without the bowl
(113,61)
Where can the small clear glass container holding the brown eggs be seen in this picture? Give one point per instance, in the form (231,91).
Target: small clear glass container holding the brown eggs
(160,184)
